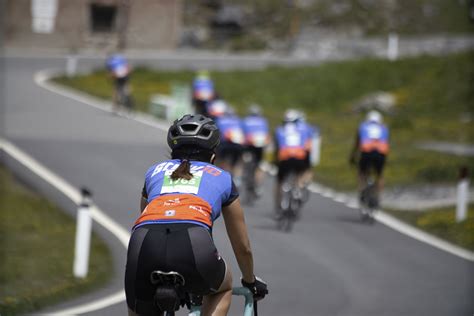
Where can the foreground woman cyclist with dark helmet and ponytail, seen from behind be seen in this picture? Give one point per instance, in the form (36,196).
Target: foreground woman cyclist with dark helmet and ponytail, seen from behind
(181,199)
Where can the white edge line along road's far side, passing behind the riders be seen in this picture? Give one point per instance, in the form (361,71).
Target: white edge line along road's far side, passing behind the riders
(42,77)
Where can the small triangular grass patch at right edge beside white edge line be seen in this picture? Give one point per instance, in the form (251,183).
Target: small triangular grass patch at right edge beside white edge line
(442,223)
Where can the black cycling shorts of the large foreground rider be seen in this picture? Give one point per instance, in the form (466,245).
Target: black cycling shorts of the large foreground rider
(184,248)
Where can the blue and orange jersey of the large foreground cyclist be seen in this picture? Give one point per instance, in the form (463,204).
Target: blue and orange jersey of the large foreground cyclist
(198,200)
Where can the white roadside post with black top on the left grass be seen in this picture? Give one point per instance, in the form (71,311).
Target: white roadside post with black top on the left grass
(83,236)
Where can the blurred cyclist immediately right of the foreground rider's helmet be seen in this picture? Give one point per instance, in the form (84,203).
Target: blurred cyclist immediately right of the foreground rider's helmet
(229,152)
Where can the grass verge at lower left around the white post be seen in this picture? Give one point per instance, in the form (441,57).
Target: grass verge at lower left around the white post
(37,249)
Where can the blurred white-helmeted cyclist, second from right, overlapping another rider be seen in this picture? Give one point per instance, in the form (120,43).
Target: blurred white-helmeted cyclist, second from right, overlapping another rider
(292,150)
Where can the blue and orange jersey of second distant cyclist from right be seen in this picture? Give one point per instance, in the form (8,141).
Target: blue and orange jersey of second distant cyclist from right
(292,140)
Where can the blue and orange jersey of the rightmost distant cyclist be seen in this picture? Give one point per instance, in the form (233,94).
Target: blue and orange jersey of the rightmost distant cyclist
(373,137)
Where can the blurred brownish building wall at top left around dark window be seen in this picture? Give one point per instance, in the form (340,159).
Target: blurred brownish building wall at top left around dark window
(151,24)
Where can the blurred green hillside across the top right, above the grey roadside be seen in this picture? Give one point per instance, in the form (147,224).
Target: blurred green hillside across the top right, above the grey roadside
(264,23)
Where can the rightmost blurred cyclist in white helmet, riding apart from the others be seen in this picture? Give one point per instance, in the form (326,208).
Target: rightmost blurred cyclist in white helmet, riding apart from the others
(370,149)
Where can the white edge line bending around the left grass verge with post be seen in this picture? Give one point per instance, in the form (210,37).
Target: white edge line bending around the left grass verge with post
(97,214)
